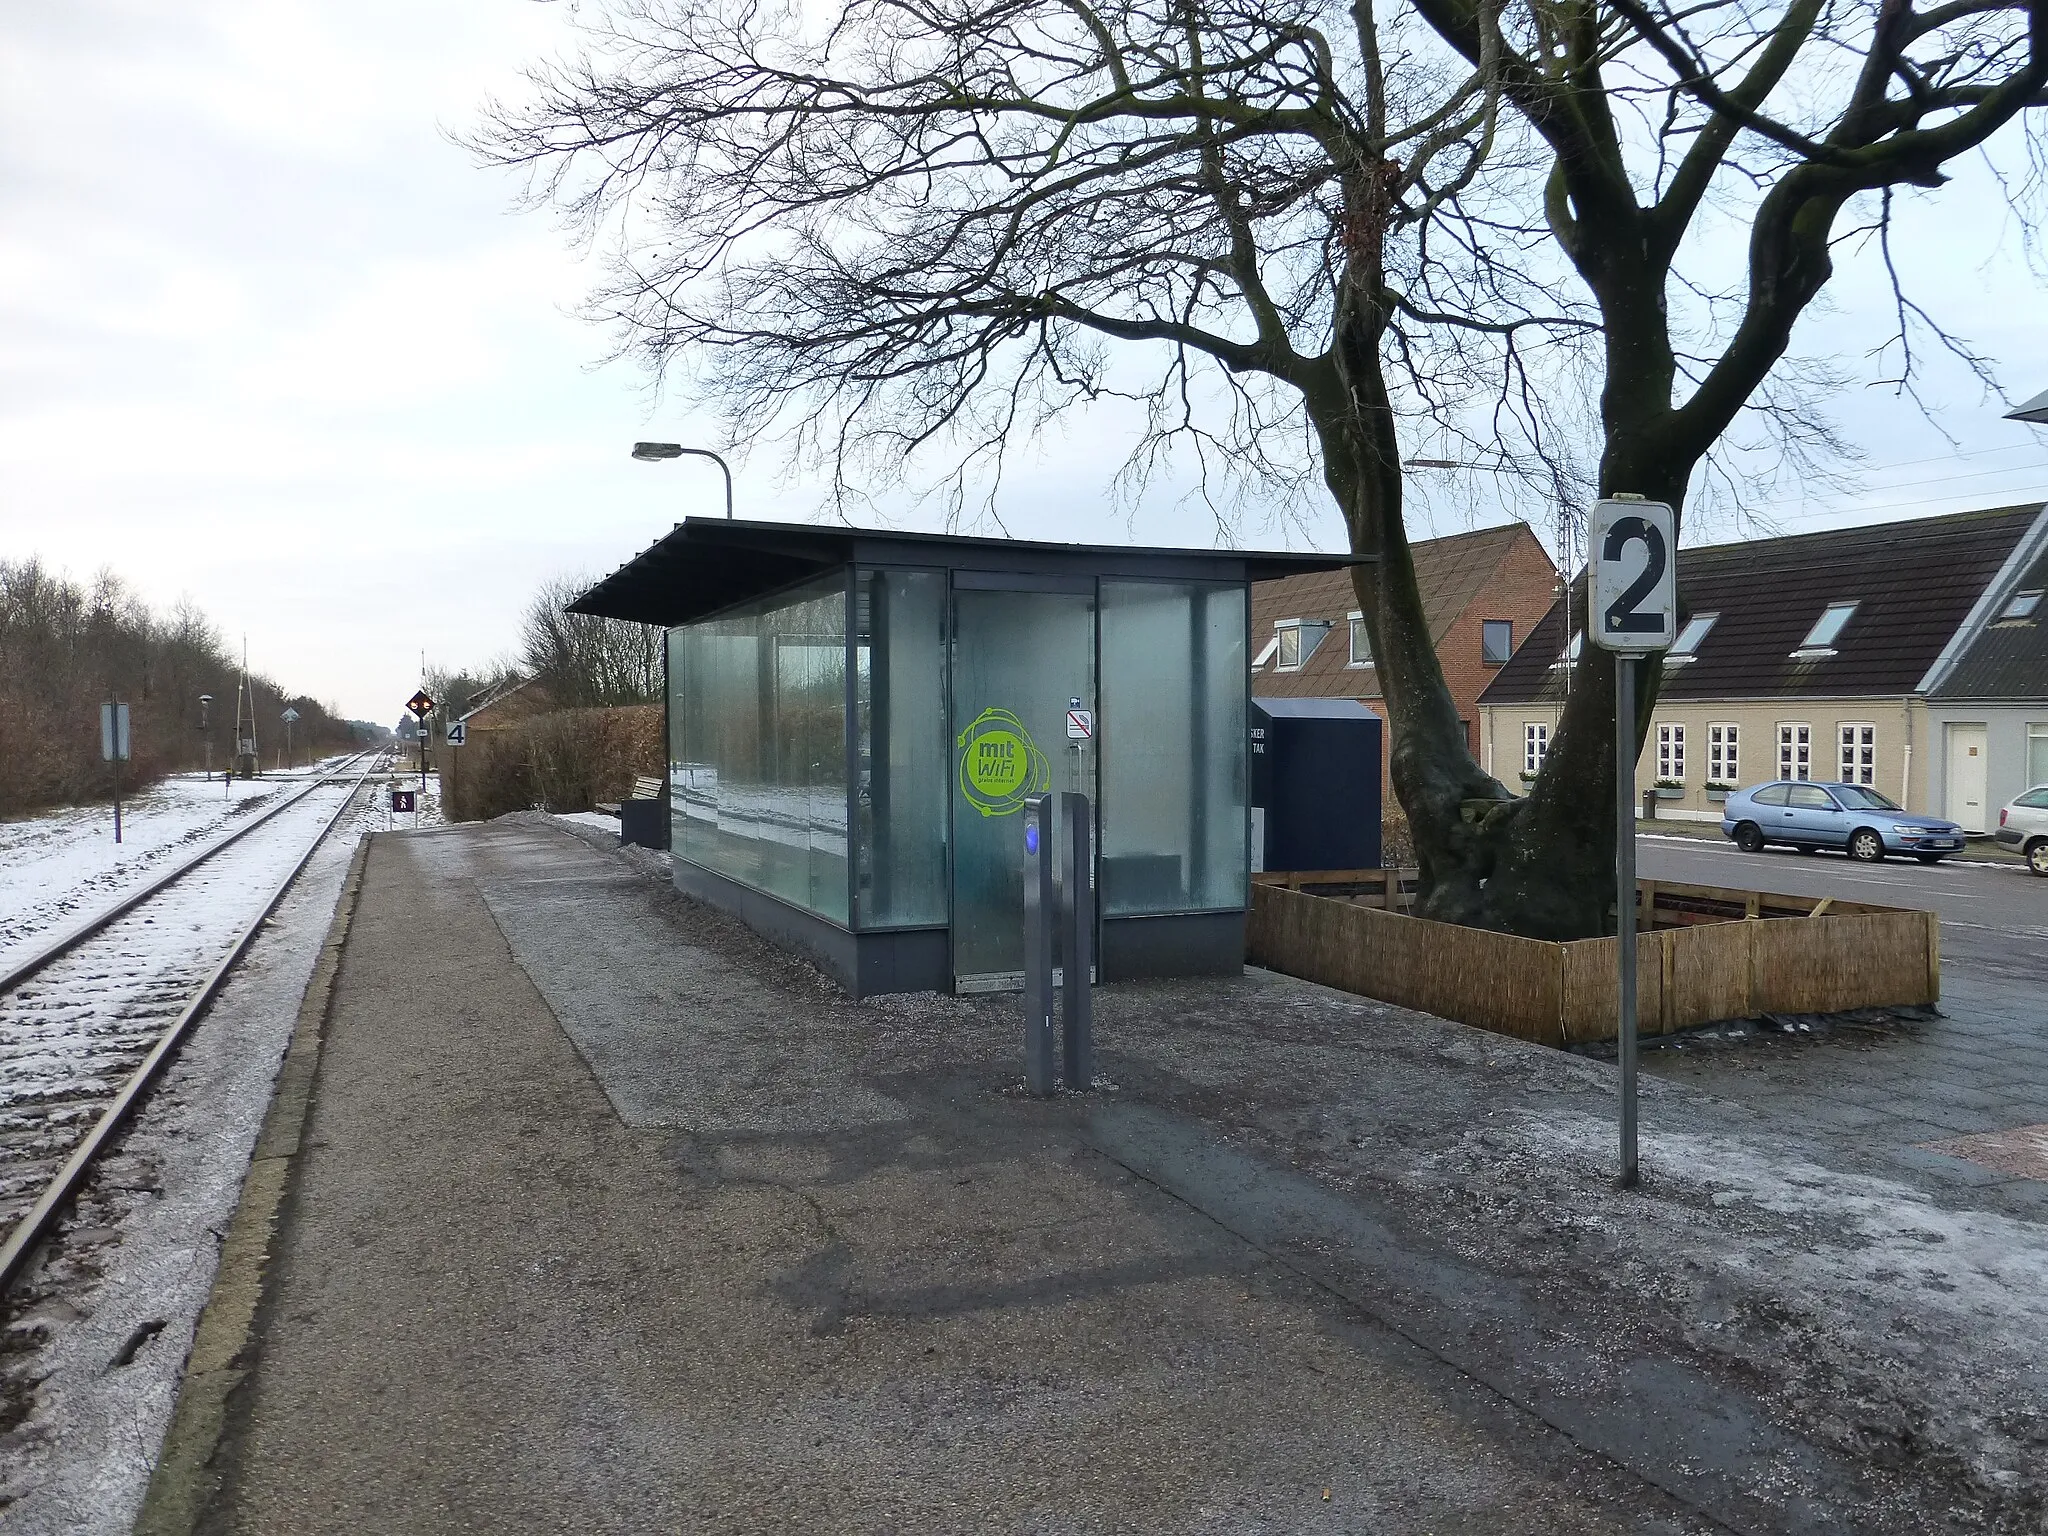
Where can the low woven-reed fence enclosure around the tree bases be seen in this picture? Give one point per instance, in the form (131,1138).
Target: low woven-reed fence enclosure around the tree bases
(1707,953)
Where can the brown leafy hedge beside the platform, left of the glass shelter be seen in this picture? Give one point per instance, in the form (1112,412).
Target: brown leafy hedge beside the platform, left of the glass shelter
(568,761)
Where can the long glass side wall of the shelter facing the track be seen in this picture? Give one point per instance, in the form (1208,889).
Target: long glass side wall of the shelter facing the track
(759,746)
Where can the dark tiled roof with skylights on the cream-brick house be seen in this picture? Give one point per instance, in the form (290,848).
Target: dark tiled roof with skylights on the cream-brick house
(1912,583)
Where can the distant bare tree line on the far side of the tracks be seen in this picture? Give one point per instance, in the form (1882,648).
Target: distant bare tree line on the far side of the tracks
(67,648)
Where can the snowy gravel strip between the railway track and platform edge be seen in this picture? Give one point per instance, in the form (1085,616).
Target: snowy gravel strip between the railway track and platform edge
(146,1236)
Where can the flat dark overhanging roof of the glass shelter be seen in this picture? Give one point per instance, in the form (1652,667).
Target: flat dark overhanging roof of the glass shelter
(706,566)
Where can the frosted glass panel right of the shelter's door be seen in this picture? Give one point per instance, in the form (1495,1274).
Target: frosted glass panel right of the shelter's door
(1172,746)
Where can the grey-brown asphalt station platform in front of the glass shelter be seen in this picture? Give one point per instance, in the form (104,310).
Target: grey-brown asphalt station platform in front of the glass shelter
(613,1218)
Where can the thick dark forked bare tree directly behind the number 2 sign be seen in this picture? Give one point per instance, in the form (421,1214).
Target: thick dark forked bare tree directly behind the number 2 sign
(1801,120)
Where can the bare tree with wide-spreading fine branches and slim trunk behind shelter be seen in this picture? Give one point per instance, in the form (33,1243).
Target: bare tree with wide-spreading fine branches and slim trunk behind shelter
(904,230)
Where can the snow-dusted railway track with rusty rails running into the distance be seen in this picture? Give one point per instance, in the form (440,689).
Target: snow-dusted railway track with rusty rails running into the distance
(91,1017)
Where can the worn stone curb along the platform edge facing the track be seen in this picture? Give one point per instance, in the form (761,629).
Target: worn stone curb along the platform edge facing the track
(187,1474)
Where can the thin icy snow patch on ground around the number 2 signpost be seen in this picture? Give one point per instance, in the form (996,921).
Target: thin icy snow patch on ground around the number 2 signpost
(1893,1320)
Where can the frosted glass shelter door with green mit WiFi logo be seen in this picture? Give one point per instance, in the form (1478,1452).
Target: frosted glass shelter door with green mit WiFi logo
(1019,663)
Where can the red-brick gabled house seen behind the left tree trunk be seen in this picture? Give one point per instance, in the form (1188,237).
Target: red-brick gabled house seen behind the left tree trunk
(1482,591)
